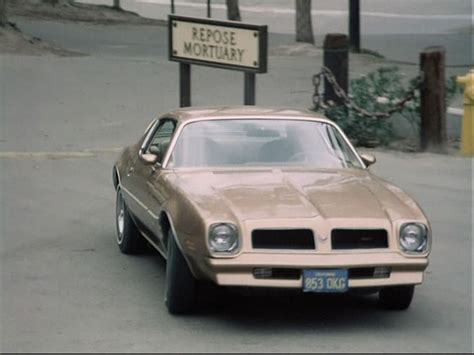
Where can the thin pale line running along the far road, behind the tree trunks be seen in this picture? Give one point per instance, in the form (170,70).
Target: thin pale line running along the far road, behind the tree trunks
(291,11)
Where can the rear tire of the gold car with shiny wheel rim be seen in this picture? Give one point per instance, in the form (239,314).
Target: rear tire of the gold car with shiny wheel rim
(129,238)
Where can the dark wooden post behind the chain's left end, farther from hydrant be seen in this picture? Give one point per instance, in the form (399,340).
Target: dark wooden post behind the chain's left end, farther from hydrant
(336,58)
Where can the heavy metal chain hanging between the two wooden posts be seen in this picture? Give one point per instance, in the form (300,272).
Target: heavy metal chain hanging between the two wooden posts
(349,103)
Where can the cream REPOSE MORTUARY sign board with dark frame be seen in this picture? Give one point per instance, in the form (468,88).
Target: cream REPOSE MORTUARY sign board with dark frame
(223,44)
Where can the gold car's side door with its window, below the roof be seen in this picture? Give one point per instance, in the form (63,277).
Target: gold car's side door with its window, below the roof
(145,176)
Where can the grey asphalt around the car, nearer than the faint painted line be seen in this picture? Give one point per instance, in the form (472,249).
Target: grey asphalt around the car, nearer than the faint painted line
(66,287)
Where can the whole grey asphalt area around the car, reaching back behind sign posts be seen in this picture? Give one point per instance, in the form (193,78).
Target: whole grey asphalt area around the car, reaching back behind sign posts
(64,286)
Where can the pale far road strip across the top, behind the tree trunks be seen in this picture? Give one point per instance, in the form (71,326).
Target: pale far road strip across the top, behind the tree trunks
(379,16)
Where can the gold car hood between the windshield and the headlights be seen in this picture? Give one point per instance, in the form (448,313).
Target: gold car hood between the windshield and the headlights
(277,194)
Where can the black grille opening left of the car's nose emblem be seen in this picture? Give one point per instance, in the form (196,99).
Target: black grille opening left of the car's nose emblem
(291,239)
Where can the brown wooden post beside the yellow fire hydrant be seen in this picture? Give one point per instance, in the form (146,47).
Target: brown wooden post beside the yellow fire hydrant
(433,103)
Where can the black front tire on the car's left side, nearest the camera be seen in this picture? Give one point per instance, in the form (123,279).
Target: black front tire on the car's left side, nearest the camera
(181,285)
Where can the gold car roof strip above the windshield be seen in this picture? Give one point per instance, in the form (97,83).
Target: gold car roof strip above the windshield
(241,112)
